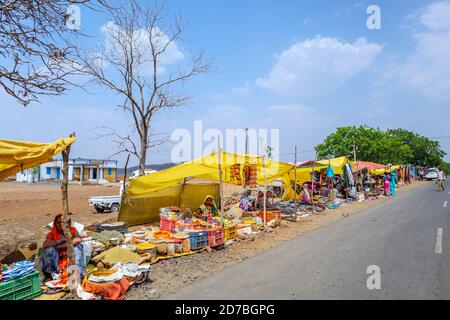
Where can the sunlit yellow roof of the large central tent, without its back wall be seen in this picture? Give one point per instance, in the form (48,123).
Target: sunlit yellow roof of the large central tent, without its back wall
(206,168)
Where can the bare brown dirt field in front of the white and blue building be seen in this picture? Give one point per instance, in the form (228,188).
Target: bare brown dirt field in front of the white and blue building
(25,208)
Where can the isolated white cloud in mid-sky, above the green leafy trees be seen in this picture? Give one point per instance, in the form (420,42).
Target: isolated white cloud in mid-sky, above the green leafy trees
(319,66)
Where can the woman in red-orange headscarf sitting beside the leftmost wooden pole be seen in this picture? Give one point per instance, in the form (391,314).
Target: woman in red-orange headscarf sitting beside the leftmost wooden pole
(54,258)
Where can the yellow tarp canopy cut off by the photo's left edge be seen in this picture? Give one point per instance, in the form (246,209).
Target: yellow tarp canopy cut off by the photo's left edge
(16,156)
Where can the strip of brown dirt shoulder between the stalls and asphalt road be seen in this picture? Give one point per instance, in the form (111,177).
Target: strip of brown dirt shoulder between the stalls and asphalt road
(167,277)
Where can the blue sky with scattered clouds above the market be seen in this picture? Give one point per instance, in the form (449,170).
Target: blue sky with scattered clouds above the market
(304,67)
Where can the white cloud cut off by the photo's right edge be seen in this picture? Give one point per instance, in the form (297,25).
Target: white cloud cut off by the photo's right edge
(427,69)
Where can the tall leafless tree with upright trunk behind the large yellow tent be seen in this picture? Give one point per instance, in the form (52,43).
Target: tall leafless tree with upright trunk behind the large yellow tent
(134,63)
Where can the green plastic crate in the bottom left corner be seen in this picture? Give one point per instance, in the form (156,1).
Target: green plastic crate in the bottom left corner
(23,288)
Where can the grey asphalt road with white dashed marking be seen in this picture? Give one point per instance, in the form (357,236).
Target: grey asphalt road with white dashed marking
(400,236)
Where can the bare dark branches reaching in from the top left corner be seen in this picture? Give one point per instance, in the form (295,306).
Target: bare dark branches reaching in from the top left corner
(35,46)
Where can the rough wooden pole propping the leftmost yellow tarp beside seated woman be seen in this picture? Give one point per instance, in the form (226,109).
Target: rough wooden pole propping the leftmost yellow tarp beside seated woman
(65,205)
